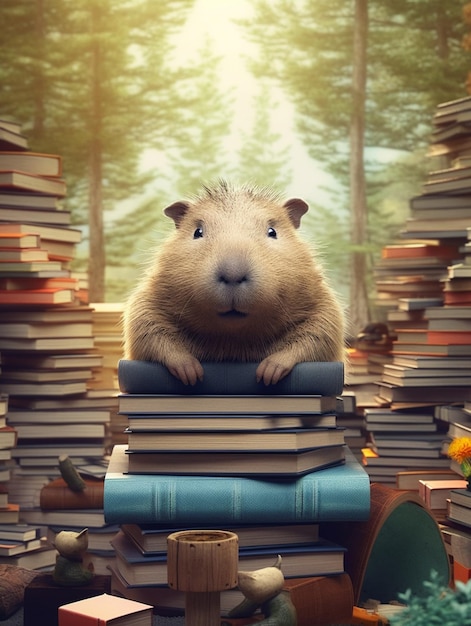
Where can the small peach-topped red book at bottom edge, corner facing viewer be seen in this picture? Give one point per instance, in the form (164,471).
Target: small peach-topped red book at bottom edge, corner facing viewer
(104,609)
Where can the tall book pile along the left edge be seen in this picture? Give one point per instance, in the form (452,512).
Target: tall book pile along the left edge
(46,334)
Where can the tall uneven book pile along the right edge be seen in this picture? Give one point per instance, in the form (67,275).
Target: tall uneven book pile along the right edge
(427,310)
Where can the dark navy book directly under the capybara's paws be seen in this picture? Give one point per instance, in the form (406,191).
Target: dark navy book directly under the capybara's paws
(312,378)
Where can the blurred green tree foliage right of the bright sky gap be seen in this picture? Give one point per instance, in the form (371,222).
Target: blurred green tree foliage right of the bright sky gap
(414,60)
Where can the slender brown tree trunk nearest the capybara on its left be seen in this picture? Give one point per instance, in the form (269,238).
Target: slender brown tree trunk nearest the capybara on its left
(97,256)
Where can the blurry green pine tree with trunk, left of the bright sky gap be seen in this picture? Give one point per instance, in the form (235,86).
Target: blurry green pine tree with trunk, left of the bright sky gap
(106,93)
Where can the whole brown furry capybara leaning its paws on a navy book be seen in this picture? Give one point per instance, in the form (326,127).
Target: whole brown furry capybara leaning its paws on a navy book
(234,291)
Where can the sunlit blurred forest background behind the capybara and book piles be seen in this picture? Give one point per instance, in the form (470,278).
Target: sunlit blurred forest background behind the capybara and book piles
(146,101)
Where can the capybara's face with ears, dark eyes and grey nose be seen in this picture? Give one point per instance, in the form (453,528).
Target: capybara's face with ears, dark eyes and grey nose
(236,252)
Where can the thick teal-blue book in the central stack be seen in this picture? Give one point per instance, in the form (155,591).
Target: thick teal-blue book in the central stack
(338,493)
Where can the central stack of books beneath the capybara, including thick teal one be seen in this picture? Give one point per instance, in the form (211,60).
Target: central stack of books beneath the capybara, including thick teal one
(230,453)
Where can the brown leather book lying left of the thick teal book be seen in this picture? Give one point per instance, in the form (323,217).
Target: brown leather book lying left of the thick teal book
(58,495)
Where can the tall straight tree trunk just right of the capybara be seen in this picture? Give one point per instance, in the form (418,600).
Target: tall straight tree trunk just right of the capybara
(359,310)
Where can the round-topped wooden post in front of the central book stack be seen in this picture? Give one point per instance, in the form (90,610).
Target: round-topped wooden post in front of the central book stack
(202,563)
